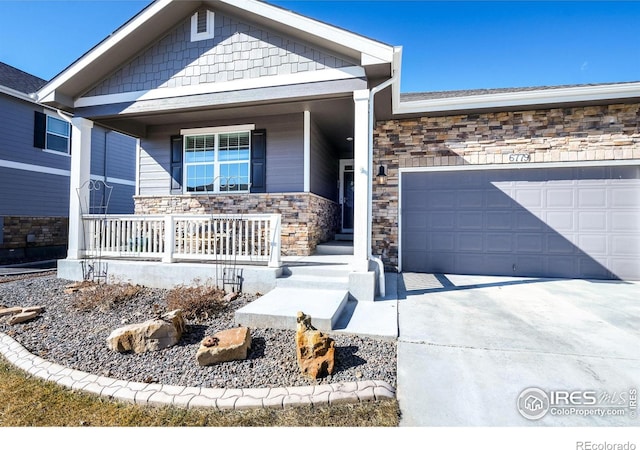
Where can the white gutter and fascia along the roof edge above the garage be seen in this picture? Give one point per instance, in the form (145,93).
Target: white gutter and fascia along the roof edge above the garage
(537,97)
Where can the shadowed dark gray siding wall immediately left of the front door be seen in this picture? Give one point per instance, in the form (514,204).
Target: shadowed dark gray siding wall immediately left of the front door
(324,165)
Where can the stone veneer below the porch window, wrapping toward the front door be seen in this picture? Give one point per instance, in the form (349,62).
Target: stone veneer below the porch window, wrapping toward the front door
(307,219)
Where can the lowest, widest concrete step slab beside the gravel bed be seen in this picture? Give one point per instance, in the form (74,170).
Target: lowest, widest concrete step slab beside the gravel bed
(279,307)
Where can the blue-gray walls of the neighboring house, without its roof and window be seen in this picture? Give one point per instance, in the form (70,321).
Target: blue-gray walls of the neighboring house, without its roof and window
(34,183)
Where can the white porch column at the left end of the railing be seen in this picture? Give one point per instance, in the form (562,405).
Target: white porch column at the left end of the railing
(78,183)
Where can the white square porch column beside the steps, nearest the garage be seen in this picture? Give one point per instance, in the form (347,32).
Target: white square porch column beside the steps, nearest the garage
(362,181)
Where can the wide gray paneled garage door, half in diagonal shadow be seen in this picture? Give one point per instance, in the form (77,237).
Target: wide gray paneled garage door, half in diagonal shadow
(560,222)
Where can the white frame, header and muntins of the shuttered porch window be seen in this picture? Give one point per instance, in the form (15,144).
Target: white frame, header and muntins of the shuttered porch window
(216,132)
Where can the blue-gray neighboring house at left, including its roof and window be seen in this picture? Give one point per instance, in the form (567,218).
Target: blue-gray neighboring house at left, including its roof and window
(34,171)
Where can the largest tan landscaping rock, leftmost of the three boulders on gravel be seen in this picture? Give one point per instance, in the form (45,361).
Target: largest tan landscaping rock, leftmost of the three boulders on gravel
(151,335)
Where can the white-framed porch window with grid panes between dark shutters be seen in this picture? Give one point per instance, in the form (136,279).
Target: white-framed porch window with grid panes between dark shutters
(217,162)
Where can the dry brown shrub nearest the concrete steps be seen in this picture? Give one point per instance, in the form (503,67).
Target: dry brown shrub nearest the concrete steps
(197,302)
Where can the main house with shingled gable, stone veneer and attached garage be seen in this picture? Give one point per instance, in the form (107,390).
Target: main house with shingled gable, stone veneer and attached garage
(240,107)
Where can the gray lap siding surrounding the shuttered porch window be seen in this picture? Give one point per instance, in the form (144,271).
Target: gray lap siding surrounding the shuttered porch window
(285,157)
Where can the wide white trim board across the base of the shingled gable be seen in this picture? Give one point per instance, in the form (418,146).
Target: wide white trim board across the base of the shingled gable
(315,76)
